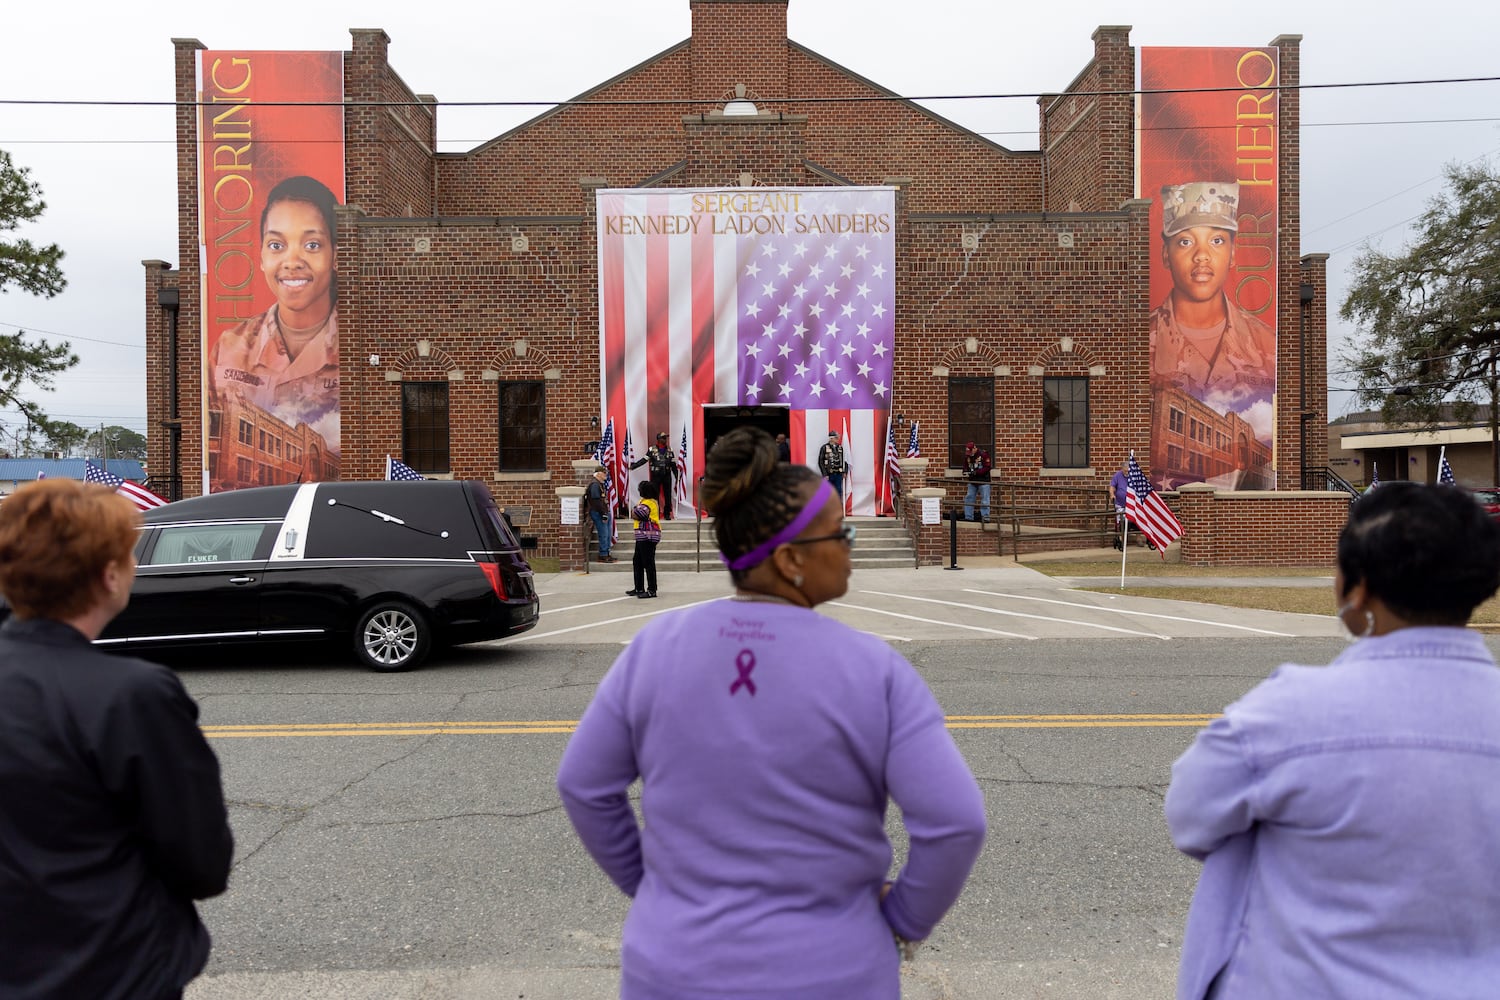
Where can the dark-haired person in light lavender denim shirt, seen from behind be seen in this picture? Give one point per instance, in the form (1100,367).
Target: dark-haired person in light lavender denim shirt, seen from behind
(1346,816)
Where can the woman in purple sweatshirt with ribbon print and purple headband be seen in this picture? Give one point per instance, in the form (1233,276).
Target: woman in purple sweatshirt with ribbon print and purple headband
(769,740)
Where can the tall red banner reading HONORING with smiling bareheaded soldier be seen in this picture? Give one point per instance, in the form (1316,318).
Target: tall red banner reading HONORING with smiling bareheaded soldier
(271,173)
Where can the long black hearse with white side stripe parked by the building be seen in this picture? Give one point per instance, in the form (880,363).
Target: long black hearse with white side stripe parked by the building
(394,570)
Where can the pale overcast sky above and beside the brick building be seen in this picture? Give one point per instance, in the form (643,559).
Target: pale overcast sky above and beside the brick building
(1372,157)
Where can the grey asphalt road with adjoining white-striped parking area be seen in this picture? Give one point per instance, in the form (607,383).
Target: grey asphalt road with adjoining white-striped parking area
(400,836)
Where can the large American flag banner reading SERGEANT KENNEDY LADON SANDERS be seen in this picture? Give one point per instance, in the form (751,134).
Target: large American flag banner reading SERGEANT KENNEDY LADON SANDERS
(752,298)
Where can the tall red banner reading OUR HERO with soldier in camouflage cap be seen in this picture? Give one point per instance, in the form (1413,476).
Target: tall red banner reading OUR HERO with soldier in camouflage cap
(1210,160)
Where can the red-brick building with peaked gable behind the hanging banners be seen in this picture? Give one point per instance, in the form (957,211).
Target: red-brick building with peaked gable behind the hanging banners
(469,283)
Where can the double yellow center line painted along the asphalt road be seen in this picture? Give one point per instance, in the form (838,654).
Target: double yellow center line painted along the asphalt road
(272,731)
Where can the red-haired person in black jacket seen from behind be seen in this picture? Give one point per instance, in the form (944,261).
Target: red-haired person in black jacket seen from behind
(112,809)
